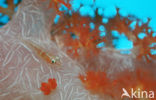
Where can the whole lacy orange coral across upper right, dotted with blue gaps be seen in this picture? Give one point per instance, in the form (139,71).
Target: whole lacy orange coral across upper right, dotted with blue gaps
(88,39)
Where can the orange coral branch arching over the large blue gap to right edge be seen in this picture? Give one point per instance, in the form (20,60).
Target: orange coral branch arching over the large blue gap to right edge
(121,24)
